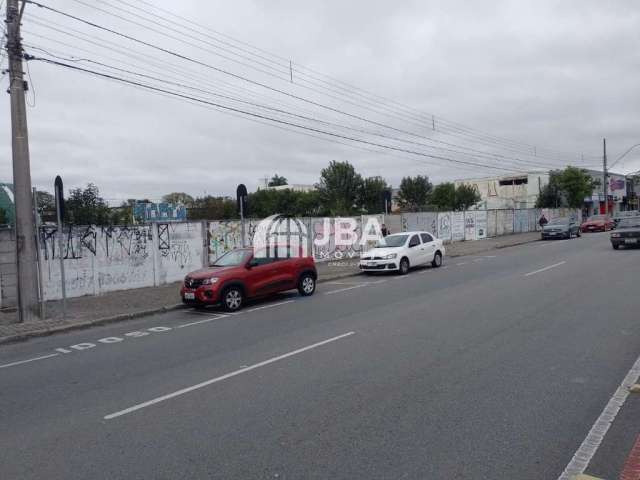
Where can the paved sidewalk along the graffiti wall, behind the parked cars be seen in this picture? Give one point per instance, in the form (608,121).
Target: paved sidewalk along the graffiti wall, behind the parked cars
(86,311)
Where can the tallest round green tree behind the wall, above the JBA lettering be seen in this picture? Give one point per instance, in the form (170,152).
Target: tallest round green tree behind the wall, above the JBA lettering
(339,188)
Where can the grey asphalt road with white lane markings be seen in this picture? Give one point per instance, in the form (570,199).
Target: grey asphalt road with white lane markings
(492,367)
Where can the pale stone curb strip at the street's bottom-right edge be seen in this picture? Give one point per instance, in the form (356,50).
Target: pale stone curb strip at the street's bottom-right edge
(591,443)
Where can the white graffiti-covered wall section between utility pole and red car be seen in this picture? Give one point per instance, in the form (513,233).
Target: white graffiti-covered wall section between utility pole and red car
(103,259)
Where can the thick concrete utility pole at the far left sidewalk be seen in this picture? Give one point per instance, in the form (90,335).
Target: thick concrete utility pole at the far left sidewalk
(25,231)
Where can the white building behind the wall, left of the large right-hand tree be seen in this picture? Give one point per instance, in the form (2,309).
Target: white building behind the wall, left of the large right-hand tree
(510,191)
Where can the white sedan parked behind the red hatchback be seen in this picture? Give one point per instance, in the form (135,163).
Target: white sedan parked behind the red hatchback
(401,251)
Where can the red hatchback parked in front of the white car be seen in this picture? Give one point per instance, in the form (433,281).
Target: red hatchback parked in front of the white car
(239,275)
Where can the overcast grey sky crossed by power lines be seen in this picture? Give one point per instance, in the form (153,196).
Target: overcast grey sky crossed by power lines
(555,75)
